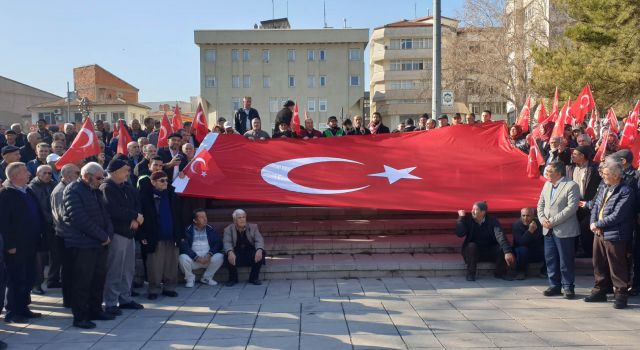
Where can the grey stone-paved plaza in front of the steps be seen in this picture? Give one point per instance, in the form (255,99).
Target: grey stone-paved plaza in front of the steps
(385,313)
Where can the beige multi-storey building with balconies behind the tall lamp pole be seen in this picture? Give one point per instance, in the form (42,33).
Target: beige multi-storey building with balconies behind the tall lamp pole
(401,69)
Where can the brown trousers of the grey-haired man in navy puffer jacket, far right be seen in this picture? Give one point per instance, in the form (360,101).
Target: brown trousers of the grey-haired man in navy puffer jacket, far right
(610,265)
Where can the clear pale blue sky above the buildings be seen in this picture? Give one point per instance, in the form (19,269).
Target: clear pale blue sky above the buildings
(150,43)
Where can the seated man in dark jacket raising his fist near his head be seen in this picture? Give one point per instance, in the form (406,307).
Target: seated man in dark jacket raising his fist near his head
(483,241)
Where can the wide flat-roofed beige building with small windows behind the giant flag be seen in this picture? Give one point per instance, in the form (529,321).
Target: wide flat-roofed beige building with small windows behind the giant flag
(321,69)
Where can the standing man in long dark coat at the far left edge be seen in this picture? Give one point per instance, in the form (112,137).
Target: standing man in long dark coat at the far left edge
(21,232)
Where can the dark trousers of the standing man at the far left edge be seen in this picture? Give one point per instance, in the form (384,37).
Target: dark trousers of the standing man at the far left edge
(20,276)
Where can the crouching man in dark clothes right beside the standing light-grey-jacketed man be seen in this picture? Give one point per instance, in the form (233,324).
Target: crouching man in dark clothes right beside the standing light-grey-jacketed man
(528,242)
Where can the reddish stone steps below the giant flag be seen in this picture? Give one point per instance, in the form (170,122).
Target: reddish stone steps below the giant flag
(322,242)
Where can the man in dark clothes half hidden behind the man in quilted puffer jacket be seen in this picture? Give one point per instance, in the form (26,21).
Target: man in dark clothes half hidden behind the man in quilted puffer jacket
(59,268)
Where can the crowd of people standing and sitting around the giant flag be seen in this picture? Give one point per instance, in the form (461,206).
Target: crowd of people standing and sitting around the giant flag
(85,220)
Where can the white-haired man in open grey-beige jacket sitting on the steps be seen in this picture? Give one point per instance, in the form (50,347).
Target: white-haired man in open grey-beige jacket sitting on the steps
(243,246)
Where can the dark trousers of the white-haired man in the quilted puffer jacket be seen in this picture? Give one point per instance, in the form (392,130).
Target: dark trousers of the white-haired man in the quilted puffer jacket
(89,266)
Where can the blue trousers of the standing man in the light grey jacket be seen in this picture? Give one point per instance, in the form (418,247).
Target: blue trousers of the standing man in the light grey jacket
(559,254)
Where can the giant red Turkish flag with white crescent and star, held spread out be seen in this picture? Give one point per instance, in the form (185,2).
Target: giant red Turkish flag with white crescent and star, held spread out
(373,174)
